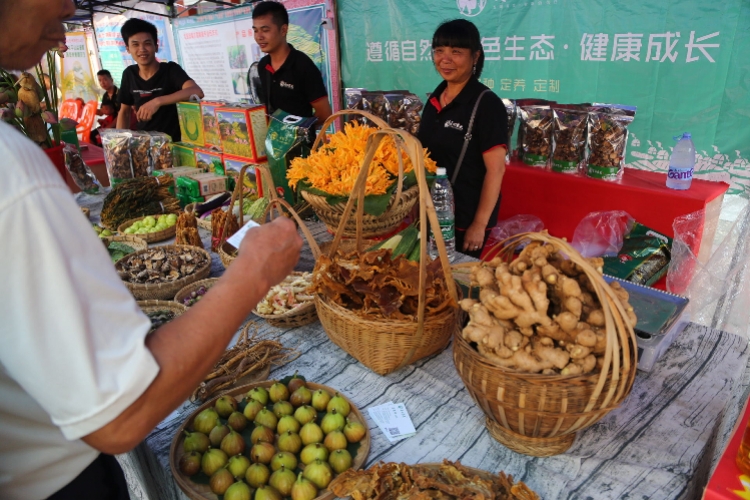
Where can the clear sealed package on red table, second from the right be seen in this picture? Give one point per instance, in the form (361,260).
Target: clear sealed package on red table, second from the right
(569,137)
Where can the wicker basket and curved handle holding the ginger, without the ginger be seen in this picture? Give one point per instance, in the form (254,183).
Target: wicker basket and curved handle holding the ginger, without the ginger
(539,415)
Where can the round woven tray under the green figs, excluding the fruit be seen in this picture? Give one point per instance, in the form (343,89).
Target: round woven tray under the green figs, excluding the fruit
(196,491)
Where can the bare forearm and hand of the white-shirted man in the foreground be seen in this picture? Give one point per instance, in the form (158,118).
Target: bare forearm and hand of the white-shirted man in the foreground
(187,348)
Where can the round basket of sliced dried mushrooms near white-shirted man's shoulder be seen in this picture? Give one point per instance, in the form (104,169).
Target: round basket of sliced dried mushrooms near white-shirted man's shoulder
(160,272)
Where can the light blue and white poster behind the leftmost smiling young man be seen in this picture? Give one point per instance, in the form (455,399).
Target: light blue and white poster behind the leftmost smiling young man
(112,51)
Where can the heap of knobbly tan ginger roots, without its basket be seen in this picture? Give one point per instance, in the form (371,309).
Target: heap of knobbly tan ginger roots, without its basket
(539,314)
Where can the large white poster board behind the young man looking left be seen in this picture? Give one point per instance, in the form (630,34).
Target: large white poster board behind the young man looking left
(217,49)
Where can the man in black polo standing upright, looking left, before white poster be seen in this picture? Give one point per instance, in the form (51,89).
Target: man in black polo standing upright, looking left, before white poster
(289,79)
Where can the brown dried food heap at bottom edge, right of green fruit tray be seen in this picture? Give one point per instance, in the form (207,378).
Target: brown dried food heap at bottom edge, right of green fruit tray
(449,481)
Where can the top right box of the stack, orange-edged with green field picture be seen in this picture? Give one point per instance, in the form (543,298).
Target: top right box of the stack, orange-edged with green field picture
(243,131)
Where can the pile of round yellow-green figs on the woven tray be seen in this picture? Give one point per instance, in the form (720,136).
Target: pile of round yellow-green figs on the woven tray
(287,440)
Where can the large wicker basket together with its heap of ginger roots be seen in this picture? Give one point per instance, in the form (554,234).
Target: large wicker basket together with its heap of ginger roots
(549,348)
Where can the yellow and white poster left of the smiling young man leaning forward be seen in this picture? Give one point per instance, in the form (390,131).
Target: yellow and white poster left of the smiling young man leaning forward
(77,78)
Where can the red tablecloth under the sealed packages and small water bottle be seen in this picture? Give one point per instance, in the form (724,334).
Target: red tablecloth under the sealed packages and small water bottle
(562,200)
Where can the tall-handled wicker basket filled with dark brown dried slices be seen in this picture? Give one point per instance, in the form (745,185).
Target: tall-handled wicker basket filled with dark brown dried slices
(386,311)
